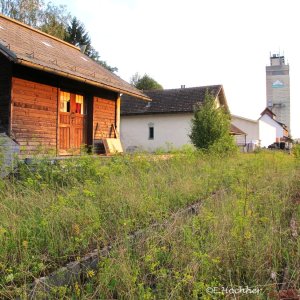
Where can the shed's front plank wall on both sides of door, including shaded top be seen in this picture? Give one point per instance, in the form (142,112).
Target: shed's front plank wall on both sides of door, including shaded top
(34,108)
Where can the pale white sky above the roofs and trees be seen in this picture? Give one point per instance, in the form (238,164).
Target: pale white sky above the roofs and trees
(198,42)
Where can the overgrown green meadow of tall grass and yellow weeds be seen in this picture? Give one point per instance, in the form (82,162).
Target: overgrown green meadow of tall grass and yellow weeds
(245,234)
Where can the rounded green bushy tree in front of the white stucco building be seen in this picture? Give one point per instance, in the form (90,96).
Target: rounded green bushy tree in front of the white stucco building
(210,125)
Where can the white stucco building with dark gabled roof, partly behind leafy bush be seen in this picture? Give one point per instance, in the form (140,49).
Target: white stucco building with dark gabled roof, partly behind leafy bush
(165,122)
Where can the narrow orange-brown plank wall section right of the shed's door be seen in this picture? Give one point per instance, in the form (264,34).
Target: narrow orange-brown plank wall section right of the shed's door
(104,115)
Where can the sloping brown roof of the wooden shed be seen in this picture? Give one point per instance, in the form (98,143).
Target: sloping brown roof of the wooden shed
(35,49)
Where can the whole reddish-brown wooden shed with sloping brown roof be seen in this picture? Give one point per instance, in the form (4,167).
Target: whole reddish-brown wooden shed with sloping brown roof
(52,96)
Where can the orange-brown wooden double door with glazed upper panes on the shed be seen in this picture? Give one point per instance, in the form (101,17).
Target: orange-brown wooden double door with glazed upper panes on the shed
(72,123)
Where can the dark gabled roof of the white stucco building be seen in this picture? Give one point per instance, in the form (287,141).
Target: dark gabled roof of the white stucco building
(181,100)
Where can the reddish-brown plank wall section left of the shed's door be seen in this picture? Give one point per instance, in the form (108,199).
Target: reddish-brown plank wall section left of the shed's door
(34,115)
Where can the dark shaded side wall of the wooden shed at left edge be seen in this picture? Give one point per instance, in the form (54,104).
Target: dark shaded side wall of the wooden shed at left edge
(5,86)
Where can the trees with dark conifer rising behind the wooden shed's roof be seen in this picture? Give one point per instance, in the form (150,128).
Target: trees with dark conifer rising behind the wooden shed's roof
(54,20)
